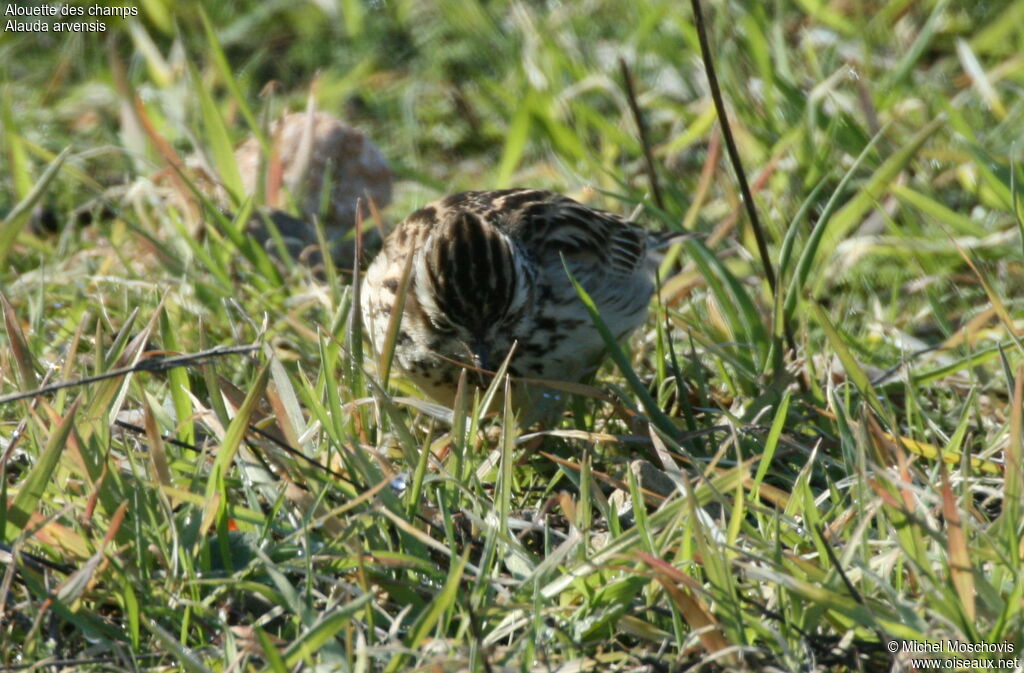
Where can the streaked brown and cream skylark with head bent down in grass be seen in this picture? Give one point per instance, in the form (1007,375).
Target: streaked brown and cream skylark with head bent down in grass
(487,273)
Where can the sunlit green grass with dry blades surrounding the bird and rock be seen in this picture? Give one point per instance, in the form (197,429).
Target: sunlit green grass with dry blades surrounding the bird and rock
(295,508)
